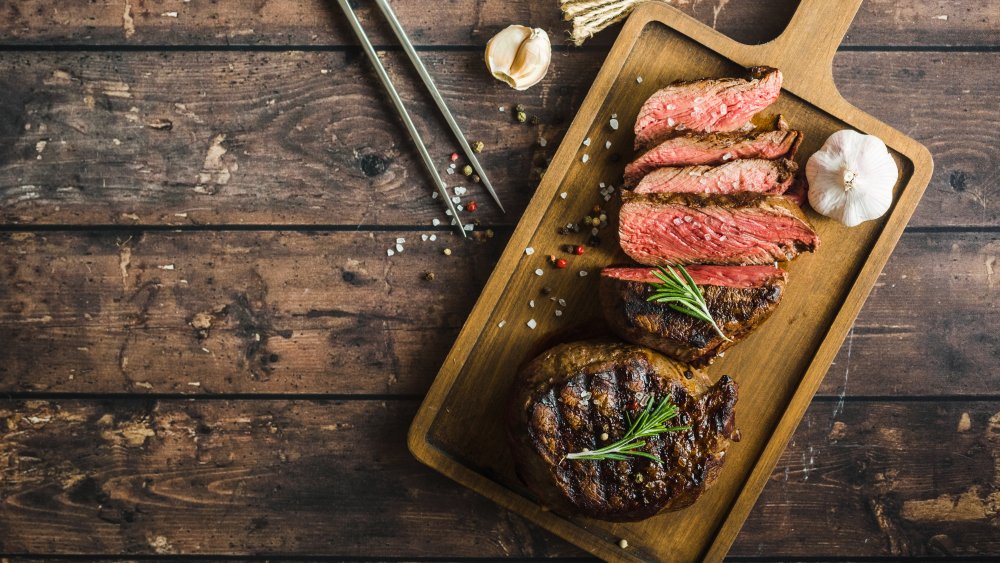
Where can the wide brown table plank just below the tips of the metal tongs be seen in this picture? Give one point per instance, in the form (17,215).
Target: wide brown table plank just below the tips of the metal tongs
(361,322)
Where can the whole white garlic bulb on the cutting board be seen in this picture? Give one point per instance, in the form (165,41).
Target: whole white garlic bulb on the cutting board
(851,178)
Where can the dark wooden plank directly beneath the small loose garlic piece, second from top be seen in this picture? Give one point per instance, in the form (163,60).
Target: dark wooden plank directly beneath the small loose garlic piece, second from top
(322,153)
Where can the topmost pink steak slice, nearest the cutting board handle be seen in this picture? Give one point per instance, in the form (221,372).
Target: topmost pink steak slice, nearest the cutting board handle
(723,104)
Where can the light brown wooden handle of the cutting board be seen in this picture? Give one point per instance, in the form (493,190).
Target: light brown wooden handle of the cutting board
(804,51)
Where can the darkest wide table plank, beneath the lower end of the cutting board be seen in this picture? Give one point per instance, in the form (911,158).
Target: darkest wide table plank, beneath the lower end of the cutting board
(134,477)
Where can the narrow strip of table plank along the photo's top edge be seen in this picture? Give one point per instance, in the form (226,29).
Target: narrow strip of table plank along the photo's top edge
(452,22)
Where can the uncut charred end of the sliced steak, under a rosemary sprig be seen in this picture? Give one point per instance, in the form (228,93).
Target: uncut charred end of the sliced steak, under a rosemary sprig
(739,298)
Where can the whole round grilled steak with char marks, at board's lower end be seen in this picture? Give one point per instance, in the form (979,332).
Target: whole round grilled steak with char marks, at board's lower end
(570,396)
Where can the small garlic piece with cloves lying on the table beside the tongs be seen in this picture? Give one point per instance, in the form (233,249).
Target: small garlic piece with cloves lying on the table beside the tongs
(519,56)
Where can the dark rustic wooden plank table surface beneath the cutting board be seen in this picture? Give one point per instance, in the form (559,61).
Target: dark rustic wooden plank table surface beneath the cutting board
(205,351)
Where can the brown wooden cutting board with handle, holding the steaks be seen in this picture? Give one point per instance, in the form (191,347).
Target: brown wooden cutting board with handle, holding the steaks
(459,428)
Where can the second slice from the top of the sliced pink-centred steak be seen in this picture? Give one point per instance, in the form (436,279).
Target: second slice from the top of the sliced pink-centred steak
(713,148)
